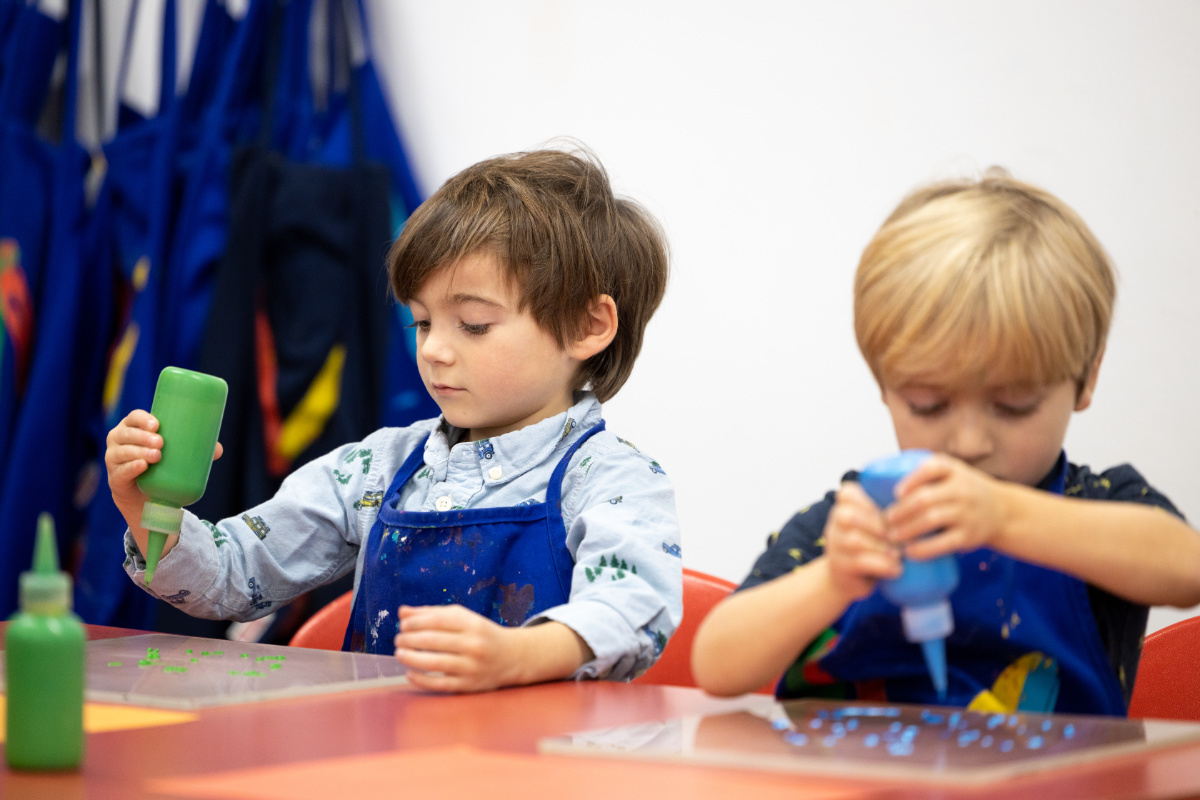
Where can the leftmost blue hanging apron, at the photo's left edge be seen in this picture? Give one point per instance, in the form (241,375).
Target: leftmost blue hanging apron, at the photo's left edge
(46,450)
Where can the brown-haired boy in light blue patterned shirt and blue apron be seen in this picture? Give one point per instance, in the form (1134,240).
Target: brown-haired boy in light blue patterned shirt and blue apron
(514,539)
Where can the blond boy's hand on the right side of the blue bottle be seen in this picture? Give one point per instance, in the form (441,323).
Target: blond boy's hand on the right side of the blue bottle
(968,508)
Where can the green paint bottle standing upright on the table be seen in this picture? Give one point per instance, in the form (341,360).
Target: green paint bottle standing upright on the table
(45,666)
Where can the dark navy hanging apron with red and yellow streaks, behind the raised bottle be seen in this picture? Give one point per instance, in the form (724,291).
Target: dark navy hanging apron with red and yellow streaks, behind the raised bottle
(299,316)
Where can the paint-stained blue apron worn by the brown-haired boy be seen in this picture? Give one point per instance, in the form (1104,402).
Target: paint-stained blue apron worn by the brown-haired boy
(508,564)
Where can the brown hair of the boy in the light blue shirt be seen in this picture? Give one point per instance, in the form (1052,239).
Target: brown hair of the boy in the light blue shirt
(563,239)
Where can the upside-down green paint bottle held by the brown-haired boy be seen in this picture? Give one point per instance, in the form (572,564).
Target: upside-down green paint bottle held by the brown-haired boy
(189,407)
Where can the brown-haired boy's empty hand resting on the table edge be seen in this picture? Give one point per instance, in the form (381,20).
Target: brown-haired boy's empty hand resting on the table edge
(454,649)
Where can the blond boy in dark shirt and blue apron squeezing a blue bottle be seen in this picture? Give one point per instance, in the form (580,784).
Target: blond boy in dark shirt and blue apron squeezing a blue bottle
(982,309)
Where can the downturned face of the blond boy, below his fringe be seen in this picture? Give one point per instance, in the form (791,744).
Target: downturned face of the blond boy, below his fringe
(1006,429)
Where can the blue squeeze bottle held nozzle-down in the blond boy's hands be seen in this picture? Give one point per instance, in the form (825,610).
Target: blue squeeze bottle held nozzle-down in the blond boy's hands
(923,590)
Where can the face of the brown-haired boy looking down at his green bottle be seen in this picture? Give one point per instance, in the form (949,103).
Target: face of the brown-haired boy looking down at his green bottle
(489,366)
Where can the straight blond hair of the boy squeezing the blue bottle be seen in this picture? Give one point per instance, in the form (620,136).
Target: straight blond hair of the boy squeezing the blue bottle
(976,276)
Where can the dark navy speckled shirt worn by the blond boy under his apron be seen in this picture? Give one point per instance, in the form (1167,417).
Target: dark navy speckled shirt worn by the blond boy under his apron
(1121,623)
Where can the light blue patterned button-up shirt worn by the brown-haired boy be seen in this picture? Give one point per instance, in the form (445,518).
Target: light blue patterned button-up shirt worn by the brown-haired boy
(619,510)
